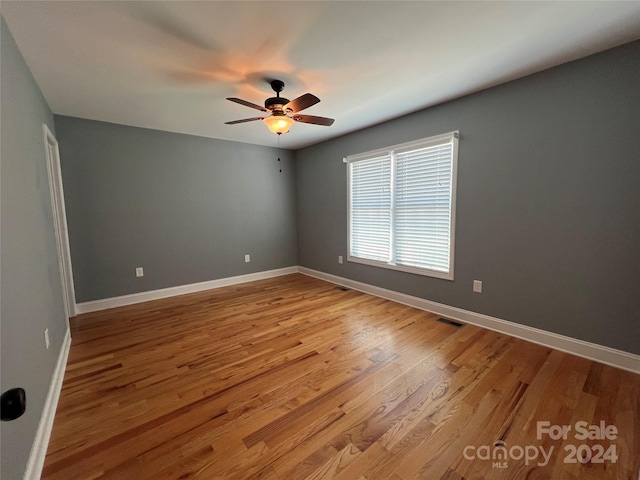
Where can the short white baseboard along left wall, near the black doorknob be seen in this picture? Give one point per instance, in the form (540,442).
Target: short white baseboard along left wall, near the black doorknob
(41,442)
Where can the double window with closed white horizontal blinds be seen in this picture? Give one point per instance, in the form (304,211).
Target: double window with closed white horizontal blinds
(402,206)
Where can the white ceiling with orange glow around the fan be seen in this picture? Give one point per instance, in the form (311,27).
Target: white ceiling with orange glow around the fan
(170,65)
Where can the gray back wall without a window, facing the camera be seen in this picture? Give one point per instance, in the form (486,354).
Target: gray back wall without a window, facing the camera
(186,209)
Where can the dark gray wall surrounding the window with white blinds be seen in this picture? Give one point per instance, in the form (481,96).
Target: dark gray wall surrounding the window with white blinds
(548,203)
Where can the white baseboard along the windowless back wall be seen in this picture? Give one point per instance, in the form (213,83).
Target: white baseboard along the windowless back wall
(134,298)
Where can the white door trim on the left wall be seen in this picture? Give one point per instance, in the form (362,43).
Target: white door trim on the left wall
(60,220)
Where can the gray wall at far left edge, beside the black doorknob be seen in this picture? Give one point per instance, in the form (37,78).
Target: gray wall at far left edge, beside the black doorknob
(31,298)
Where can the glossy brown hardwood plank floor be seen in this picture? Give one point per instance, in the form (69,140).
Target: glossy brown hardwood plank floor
(292,378)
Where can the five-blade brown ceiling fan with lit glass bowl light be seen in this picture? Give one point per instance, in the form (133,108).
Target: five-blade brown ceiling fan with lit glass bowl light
(283,113)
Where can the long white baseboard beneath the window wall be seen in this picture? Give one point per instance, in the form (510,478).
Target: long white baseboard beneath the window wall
(599,353)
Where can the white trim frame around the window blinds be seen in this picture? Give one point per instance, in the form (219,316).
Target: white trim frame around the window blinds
(425,142)
